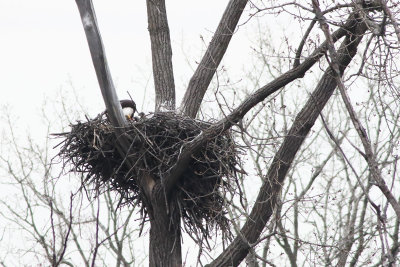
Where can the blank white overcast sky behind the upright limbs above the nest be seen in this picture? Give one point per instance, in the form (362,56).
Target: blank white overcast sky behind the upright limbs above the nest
(43,48)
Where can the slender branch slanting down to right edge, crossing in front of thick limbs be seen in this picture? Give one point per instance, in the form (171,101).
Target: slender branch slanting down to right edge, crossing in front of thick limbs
(370,156)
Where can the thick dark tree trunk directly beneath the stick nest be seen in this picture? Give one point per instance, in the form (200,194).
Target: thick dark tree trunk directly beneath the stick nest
(165,237)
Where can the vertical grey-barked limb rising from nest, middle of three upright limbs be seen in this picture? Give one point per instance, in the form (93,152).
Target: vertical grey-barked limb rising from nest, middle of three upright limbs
(161,54)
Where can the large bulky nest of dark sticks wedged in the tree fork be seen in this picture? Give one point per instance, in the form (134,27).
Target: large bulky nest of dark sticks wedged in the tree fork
(156,141)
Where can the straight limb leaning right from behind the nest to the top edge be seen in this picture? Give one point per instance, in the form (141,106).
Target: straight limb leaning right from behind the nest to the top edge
(202,77)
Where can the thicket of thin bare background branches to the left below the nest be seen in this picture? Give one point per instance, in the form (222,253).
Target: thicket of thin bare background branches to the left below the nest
(50,221)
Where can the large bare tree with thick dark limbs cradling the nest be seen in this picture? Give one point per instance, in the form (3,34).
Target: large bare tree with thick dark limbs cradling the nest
(365,20)
